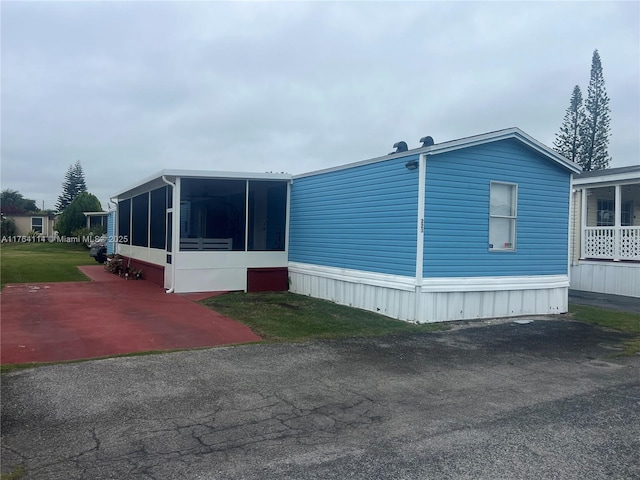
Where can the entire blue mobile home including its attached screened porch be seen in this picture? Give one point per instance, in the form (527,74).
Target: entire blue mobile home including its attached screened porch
(470,228)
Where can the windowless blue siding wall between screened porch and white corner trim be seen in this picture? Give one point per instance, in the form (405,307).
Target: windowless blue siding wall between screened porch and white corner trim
(361,218)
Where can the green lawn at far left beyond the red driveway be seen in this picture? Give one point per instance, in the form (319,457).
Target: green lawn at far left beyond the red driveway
(42,262)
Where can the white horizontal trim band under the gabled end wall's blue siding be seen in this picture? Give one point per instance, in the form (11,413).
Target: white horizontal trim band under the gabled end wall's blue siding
(486,284)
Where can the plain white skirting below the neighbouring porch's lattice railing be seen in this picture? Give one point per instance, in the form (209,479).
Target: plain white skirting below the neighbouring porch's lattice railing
(615,278)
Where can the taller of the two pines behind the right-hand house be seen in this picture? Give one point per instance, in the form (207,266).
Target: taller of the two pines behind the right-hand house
(596,127)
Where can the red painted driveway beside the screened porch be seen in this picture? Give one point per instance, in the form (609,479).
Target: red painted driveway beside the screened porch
(45,322)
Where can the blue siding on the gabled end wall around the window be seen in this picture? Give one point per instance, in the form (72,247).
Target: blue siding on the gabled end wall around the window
(457,212)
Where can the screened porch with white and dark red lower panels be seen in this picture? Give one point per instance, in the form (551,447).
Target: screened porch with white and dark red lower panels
(193,231)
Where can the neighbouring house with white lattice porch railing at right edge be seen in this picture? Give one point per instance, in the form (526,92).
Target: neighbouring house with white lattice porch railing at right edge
(605,226)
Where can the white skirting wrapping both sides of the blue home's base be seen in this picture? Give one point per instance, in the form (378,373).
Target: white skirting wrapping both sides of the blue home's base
(438,300)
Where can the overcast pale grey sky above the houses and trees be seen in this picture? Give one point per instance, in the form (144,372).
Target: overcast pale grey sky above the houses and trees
(130,88)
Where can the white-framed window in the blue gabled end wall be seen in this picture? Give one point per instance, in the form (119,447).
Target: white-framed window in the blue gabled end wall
(503,214)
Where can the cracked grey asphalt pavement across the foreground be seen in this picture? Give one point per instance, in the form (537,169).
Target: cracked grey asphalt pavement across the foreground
(491,400)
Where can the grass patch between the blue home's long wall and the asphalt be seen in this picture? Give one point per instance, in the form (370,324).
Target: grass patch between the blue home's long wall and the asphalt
(287,317)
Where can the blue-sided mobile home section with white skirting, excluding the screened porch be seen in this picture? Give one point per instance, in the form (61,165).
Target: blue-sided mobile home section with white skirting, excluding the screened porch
(470,228)
